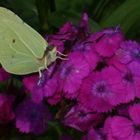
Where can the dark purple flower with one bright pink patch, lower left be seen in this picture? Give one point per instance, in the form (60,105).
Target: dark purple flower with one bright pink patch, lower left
(32,117)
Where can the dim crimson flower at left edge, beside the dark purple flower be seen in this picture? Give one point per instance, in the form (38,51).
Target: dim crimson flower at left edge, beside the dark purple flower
(6,108)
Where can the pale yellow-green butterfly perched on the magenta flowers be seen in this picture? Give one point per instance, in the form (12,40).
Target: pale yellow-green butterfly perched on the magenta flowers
(22,49)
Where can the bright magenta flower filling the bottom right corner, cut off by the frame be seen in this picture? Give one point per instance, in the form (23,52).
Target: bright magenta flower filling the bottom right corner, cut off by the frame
(124,128)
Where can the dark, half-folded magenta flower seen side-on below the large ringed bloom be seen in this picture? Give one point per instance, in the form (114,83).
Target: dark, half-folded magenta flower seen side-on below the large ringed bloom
(81,119)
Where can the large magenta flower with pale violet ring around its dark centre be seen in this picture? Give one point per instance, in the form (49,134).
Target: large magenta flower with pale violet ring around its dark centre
(99,92)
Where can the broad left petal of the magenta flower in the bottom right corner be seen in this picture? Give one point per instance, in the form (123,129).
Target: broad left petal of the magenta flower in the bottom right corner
(119,128)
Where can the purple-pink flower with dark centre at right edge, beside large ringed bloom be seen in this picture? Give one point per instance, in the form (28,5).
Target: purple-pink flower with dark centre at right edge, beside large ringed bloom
(130,82)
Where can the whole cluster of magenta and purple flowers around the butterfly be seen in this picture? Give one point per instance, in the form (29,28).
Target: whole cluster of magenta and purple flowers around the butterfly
(97,82)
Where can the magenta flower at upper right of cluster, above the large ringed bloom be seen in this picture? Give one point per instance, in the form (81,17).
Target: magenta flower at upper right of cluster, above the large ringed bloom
(109,43)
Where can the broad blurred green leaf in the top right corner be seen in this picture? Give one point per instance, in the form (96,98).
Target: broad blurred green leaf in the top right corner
(125,15)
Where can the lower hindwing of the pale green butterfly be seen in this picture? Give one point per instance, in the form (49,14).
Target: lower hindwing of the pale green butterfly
(18,63)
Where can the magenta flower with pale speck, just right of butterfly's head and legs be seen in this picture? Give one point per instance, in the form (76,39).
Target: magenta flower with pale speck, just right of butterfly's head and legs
(71,73)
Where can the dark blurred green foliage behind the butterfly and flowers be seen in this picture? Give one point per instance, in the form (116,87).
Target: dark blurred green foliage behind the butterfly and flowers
(47,16)
